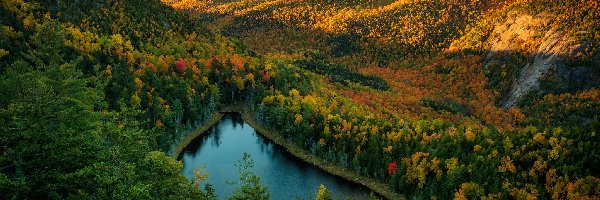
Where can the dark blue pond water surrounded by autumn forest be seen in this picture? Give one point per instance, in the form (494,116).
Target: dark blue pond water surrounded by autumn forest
(287,177)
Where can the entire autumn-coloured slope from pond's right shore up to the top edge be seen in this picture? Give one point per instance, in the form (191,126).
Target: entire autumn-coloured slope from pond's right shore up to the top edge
(496,71)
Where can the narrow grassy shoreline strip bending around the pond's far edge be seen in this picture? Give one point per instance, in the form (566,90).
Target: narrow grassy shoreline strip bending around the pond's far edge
(378,188)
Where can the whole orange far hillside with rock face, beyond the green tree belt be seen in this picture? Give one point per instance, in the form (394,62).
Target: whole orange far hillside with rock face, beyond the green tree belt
(485,34)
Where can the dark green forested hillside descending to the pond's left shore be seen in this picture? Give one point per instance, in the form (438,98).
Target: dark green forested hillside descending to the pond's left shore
(71,98)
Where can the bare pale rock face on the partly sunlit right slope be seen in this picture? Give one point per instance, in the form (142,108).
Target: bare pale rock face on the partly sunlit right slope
(547,56)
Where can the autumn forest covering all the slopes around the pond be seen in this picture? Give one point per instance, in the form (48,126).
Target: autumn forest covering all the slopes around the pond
(411,94)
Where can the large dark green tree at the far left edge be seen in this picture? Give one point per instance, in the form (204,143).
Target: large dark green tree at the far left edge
(48,131)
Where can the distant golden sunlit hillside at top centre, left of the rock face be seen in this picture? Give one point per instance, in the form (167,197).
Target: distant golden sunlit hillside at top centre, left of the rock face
(376,30)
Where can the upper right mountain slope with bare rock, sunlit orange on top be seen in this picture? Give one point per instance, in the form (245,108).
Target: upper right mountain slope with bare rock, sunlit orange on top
(538,47)
